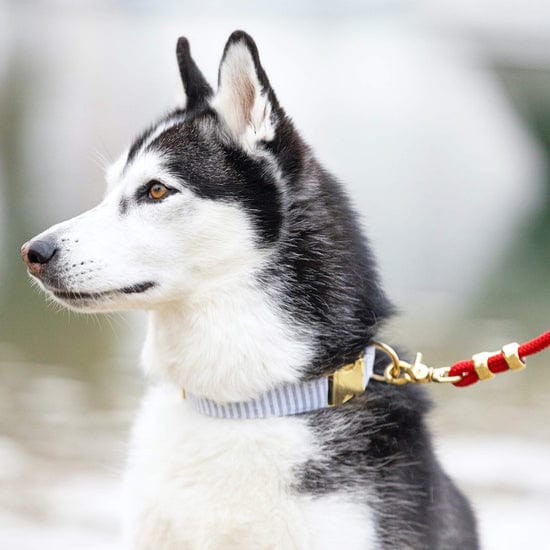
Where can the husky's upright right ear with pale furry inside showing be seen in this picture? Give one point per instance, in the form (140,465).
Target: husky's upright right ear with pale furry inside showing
(245,101)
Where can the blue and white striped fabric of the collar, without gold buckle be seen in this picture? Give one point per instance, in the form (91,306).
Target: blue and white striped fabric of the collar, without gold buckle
(283,401)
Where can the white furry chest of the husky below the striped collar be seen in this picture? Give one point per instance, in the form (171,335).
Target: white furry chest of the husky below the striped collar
(200,483)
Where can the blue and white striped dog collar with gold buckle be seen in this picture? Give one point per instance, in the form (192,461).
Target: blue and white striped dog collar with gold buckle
(327,391)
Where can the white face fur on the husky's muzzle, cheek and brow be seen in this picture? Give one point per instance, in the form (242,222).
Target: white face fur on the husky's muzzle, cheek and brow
(186,244)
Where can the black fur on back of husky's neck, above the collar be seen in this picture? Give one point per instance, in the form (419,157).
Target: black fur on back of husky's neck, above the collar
(329,272)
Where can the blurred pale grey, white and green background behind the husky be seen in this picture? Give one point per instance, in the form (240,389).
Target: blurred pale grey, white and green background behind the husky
(435,114)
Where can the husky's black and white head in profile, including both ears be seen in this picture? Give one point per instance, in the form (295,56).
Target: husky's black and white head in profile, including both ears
(195,202)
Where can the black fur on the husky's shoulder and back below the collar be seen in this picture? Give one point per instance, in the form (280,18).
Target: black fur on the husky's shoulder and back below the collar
(378,448)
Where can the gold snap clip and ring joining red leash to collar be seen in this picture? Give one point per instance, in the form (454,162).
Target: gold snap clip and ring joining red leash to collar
(400,372)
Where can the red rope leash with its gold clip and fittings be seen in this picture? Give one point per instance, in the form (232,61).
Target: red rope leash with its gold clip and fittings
(482,366)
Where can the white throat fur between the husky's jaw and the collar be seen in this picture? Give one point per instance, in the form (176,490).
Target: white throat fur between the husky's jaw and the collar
(231,345)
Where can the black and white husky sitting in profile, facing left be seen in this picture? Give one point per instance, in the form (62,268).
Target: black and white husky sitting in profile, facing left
(220,222)
